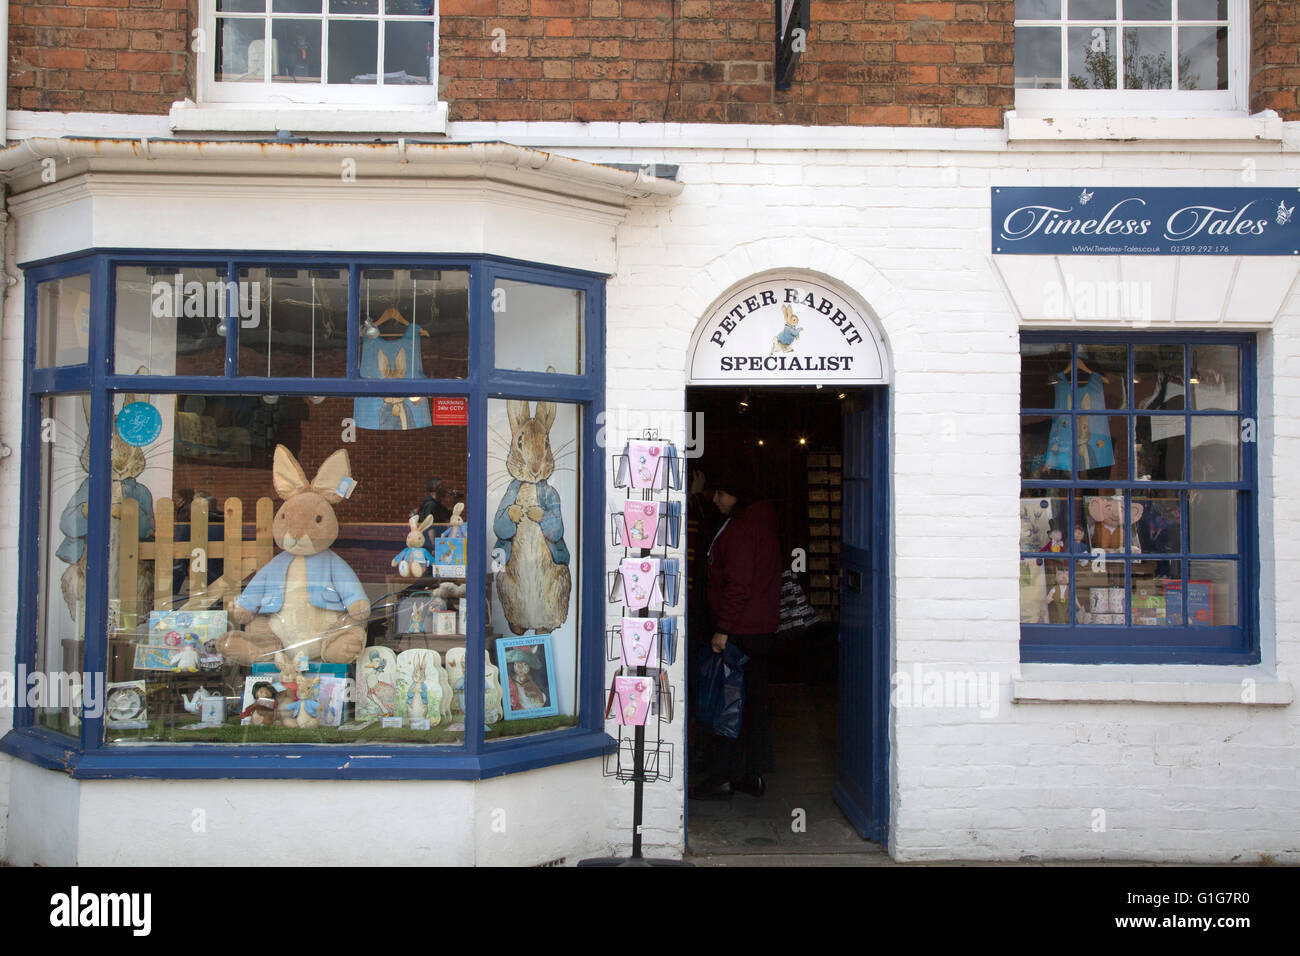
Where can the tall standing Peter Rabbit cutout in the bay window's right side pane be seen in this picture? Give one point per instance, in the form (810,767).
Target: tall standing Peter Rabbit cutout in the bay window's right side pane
(538,486)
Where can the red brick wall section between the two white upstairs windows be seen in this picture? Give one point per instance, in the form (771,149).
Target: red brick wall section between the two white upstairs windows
(921,64)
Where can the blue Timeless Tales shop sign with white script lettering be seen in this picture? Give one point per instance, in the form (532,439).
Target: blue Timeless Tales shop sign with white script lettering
(1146,222)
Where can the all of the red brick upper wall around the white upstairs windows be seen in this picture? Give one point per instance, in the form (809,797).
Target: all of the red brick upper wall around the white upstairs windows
(868,63)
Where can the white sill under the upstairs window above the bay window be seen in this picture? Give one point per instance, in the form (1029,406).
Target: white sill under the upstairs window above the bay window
(262,118)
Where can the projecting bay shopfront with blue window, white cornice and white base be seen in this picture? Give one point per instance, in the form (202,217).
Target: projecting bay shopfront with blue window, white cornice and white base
(310,496)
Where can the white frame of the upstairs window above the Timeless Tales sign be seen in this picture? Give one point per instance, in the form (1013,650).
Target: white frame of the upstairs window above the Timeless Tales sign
(1149,102)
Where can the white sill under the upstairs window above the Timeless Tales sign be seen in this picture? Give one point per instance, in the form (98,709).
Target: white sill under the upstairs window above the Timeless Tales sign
(1065,127)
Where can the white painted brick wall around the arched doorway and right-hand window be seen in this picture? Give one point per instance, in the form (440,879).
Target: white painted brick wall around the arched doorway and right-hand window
(908,232)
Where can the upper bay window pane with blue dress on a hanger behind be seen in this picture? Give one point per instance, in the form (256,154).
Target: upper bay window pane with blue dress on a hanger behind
(418,321)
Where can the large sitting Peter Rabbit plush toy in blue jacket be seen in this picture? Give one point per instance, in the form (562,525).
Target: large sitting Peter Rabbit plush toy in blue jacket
(306,599)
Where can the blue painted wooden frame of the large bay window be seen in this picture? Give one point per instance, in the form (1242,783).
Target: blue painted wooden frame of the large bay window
(476,759)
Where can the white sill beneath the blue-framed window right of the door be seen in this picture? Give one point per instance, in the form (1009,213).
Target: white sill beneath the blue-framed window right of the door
(1151,685)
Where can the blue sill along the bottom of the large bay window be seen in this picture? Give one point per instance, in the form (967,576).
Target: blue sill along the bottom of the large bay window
(198,762)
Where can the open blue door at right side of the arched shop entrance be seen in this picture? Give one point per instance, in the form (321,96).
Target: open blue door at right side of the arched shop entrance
(864,693)
